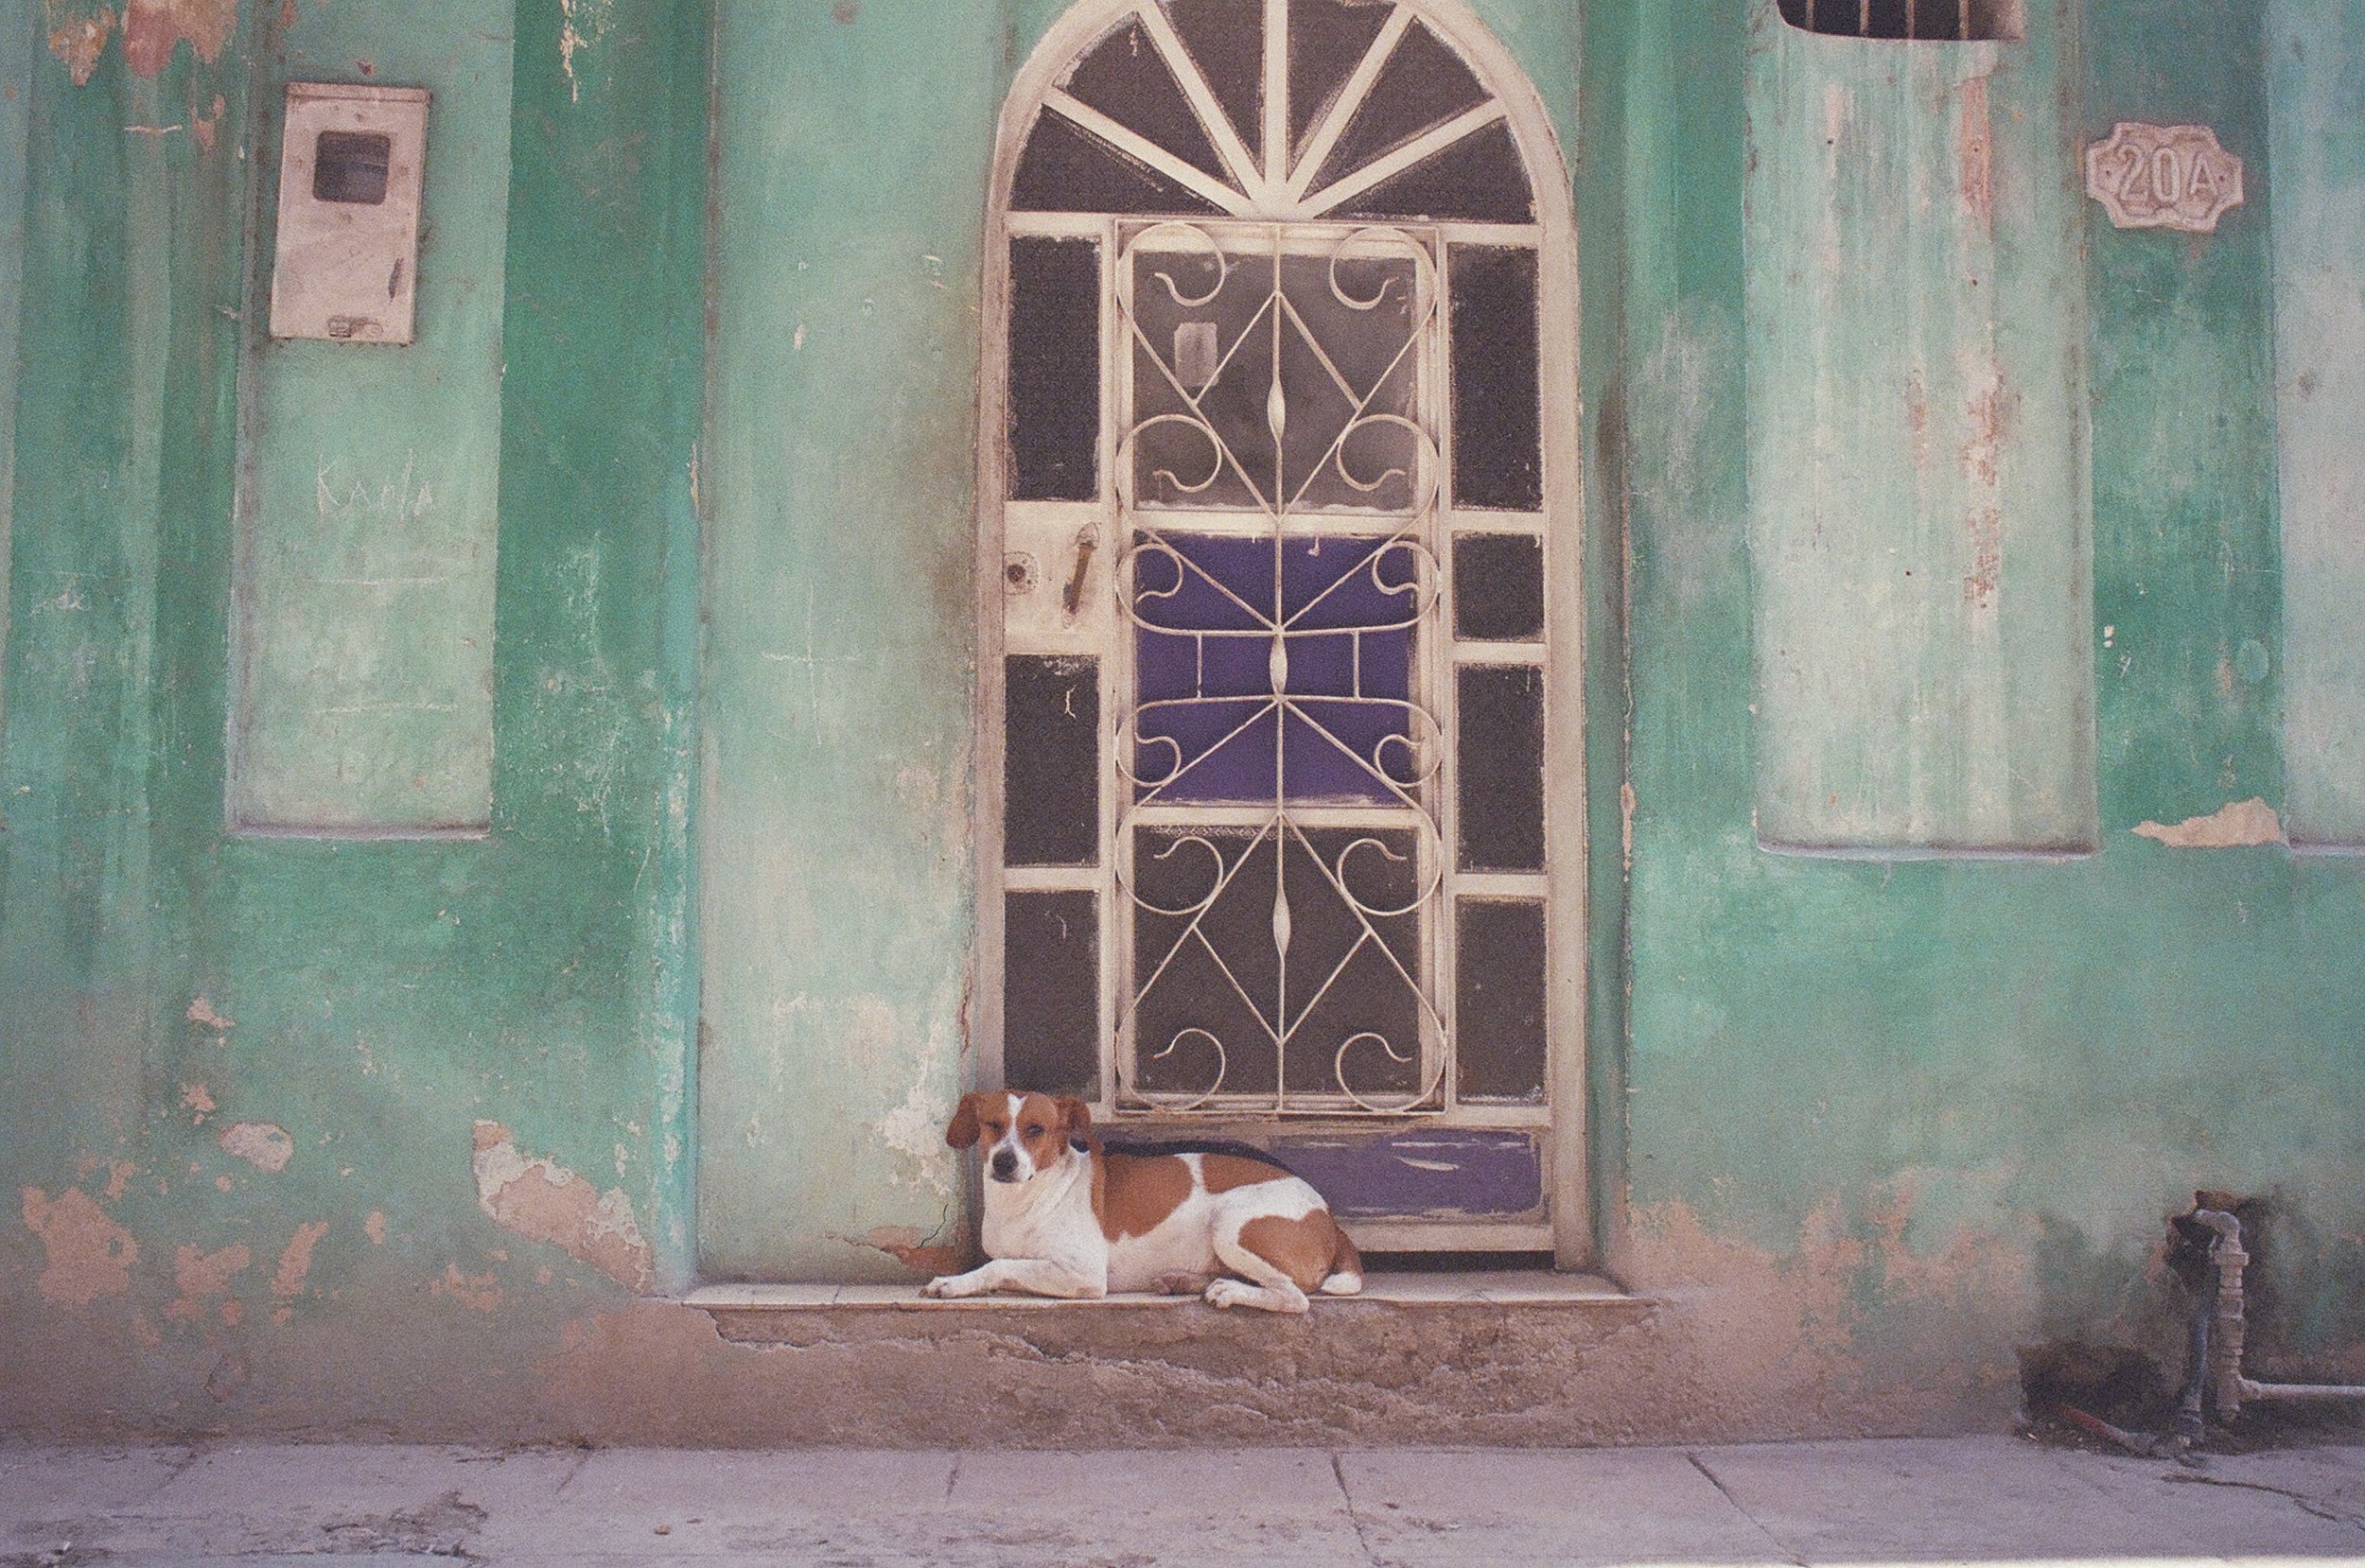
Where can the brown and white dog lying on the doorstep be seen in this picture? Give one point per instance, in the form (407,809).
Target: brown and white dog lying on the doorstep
(1065,1219)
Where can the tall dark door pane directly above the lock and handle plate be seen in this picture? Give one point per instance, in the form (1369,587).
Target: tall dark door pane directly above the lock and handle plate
(1054,370)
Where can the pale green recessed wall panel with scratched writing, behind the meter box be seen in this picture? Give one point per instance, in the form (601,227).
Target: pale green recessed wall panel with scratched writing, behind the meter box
(370,474)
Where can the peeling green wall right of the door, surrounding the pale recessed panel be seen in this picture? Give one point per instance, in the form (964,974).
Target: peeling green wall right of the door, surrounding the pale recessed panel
(1966,1091)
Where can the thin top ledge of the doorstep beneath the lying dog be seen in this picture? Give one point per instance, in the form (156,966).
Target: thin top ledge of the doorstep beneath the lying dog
(746,1311)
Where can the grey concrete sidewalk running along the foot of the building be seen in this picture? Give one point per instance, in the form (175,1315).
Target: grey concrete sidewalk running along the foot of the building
(1791,1503)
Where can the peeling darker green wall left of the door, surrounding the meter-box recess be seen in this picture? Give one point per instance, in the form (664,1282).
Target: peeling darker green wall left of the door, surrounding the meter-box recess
(250,1073)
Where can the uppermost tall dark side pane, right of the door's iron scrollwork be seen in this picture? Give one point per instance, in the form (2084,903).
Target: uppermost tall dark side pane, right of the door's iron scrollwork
(1498,391)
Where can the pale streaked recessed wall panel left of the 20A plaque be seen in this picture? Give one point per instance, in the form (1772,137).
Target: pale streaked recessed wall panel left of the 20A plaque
(1919,505)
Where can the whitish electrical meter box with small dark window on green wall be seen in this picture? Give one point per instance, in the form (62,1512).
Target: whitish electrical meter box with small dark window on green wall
(351,176)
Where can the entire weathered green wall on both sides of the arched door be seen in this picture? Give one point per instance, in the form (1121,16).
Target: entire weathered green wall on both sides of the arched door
(696,1002)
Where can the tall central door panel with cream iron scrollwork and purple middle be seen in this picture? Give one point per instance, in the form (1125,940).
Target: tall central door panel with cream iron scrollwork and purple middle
(1323,555)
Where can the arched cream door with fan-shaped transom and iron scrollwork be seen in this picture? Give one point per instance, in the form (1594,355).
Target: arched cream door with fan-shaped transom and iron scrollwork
(1276,585)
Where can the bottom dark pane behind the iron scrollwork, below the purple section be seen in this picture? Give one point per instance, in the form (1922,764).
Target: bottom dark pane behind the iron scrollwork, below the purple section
(1219,890)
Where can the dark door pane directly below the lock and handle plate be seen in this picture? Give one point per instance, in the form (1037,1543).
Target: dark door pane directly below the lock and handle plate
(1051,760)
